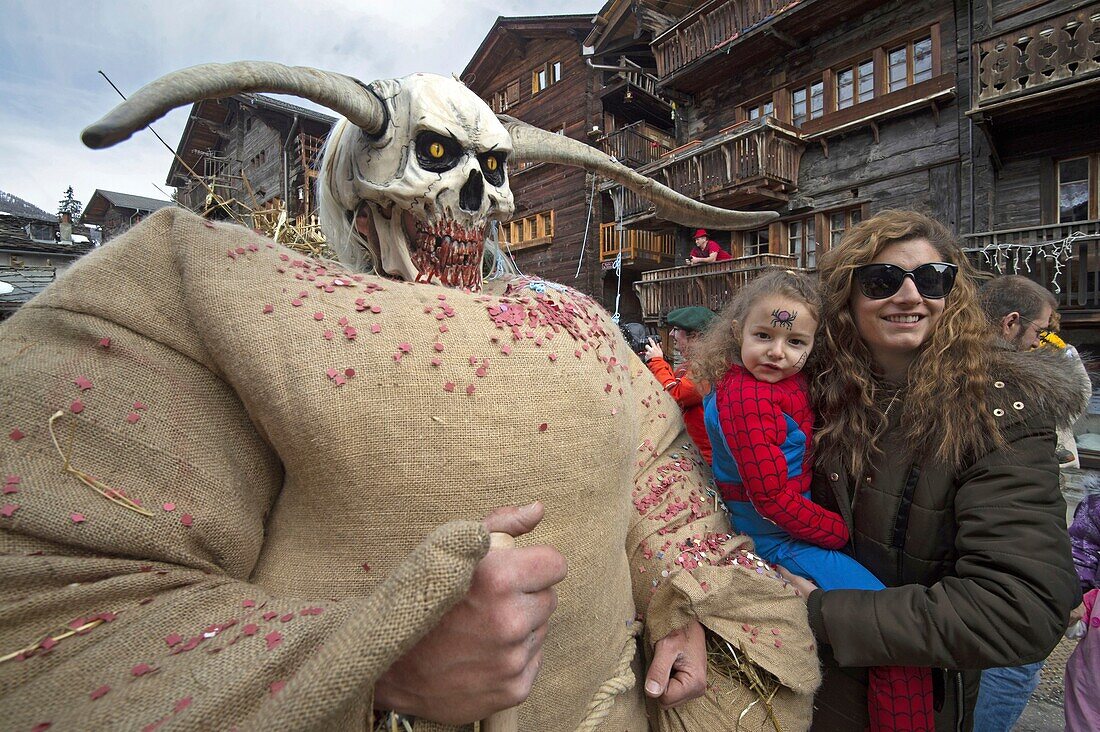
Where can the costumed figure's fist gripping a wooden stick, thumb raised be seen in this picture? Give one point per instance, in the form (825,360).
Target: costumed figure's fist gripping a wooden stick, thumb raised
(485,654)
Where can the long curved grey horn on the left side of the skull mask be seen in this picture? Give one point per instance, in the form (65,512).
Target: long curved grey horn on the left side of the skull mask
(342,94)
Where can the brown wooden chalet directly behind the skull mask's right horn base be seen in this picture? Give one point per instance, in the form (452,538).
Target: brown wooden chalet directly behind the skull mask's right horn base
(534,69)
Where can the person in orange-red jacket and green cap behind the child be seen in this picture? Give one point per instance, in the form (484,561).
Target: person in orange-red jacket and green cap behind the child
(687,324)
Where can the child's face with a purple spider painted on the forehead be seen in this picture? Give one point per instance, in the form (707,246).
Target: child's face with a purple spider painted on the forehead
(776,343)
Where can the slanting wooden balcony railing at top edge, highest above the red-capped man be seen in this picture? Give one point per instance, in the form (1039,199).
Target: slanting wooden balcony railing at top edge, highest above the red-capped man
(709,27)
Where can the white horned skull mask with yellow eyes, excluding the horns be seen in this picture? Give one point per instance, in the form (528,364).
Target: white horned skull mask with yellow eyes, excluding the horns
(425,191)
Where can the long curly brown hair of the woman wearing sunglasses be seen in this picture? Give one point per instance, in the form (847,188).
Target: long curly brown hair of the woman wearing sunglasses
(944,402)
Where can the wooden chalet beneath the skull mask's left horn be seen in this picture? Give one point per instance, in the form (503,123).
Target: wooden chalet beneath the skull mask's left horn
(252,159)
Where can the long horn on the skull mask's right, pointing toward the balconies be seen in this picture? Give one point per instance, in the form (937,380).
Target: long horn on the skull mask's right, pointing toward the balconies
(531,144)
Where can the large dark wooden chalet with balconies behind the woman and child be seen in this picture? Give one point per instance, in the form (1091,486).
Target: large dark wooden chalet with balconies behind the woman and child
(981,115)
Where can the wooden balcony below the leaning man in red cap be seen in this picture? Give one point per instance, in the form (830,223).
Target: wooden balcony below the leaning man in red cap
(710,286)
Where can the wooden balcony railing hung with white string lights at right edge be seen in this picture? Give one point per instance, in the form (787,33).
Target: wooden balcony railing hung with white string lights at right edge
(1075,279)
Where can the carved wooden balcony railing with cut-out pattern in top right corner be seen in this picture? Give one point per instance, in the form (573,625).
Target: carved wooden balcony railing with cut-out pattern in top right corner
(1039,57)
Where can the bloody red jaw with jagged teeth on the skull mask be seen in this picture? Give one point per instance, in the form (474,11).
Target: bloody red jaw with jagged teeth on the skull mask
(450,253)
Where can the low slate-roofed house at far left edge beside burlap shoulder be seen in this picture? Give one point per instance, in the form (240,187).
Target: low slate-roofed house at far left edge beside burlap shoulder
(34,250)
